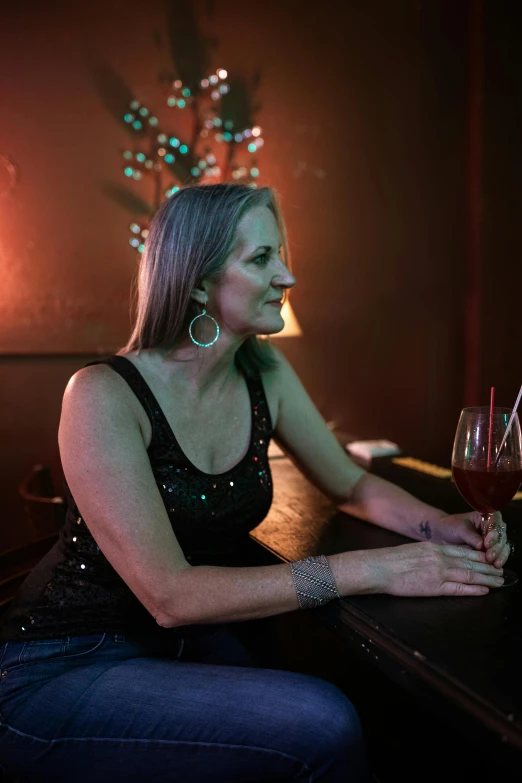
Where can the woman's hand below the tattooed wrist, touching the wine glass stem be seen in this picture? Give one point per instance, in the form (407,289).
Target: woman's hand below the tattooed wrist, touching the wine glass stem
(467,529)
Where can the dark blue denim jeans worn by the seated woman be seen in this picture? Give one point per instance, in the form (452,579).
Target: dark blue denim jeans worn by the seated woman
(107,708)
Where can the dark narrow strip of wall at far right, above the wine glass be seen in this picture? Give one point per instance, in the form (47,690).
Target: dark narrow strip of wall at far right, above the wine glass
(501,329)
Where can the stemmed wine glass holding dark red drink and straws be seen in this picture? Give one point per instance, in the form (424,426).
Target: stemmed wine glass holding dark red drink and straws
(487,477)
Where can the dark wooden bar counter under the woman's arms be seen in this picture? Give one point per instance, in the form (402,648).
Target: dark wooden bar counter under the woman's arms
(439,679)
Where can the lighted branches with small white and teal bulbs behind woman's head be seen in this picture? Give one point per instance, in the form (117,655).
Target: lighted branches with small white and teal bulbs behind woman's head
(216,152)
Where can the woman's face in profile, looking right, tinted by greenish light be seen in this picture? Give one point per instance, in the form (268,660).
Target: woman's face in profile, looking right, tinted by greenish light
(254,276)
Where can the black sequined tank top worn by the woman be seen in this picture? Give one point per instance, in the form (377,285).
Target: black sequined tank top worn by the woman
(75,590)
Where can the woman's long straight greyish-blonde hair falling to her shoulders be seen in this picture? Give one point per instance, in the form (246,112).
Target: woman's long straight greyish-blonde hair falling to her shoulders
(190,238)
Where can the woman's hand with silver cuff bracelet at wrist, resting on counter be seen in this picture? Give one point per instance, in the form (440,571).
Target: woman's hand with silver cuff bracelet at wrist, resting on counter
(428,569)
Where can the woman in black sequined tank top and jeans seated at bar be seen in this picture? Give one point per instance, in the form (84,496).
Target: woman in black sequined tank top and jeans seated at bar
(119,661)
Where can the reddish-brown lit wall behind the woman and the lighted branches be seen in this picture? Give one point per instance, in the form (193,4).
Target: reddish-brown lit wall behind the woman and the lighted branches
(392,134)
